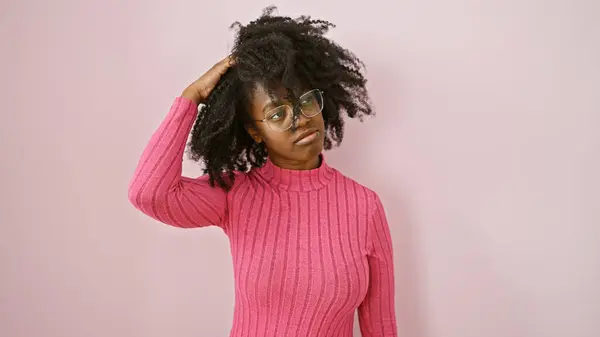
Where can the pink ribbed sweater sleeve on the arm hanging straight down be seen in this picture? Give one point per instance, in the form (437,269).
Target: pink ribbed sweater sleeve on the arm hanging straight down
(376,313)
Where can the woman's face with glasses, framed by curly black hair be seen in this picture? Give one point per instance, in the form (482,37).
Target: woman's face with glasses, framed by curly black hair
(302,141)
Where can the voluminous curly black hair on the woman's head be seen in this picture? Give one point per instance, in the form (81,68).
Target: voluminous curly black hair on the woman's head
(275,51)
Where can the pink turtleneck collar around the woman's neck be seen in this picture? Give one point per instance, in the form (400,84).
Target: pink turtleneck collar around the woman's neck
(297,180)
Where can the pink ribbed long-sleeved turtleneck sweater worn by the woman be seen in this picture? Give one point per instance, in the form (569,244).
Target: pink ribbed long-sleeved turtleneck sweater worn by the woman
(308,247)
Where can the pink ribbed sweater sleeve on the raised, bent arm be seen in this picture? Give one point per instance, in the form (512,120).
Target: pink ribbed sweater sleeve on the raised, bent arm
(157,187)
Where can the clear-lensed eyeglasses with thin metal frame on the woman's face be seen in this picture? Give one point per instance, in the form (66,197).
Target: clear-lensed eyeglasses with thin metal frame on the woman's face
(282,117)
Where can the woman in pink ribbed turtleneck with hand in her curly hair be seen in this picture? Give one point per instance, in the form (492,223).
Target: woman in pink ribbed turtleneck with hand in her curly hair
(309,245)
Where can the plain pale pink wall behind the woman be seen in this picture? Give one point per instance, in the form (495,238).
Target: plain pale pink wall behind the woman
(485,151)
